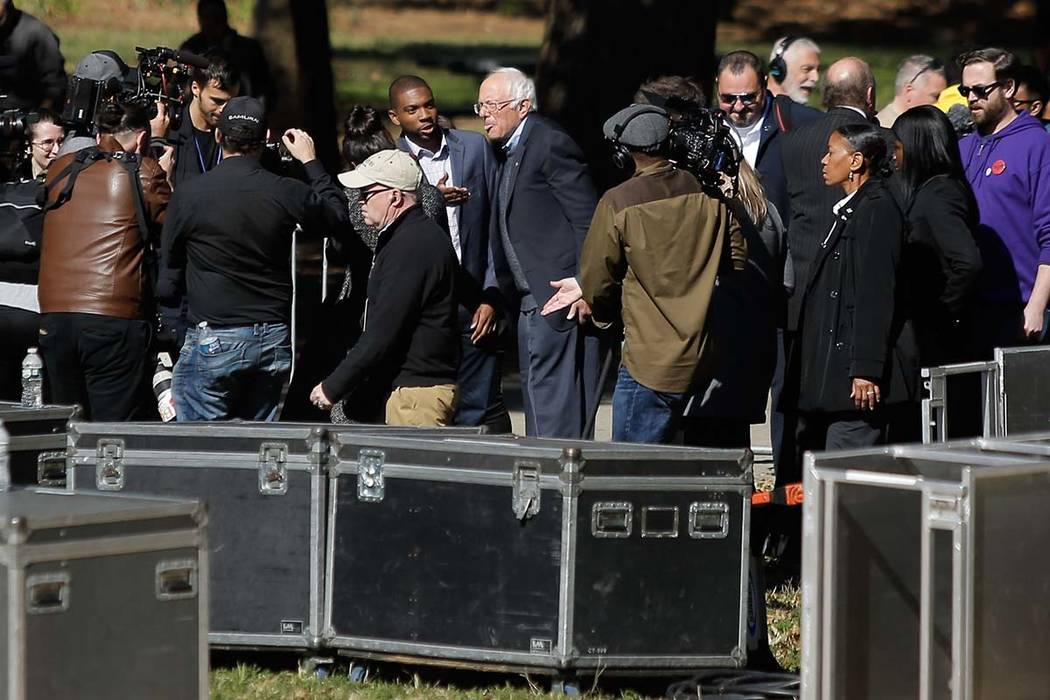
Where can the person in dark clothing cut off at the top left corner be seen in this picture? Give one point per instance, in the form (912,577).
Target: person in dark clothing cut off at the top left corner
(32,73)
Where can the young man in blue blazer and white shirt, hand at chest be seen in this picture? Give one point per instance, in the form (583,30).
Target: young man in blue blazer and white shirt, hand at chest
(463,166)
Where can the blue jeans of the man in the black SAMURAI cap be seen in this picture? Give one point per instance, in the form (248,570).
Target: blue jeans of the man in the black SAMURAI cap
(241,376)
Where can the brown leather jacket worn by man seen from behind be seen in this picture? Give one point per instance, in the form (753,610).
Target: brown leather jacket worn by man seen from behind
(92,259)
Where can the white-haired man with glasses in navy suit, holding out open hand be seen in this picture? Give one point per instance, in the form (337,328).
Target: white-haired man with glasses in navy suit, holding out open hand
(543,207)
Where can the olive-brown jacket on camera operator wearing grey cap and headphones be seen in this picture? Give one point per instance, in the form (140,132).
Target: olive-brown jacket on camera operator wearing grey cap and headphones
(663,241)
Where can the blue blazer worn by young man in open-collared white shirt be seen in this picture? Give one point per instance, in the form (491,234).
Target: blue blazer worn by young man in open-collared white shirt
(475,168)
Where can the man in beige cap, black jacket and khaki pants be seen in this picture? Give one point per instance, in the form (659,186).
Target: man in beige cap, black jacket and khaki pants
(411,327)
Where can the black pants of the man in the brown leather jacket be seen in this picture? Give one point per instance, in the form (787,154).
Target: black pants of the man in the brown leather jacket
(99,363)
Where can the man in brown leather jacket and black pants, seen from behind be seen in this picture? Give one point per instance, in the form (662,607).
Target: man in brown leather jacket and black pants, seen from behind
(103,208)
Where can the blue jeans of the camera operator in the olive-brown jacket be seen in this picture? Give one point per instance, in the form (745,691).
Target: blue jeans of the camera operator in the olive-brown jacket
(641,415)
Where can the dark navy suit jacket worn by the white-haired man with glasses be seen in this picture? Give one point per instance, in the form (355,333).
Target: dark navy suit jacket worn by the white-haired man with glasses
(552,200)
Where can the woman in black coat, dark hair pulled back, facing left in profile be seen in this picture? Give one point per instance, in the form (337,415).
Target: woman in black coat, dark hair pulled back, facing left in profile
(856,358)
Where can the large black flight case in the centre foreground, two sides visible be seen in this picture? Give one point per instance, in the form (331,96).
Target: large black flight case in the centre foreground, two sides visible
(552,557)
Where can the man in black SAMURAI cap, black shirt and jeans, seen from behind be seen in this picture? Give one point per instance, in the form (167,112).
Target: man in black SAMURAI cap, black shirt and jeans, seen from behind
(230,231)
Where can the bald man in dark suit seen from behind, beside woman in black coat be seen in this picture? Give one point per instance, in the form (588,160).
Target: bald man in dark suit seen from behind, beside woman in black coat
(850,99)
